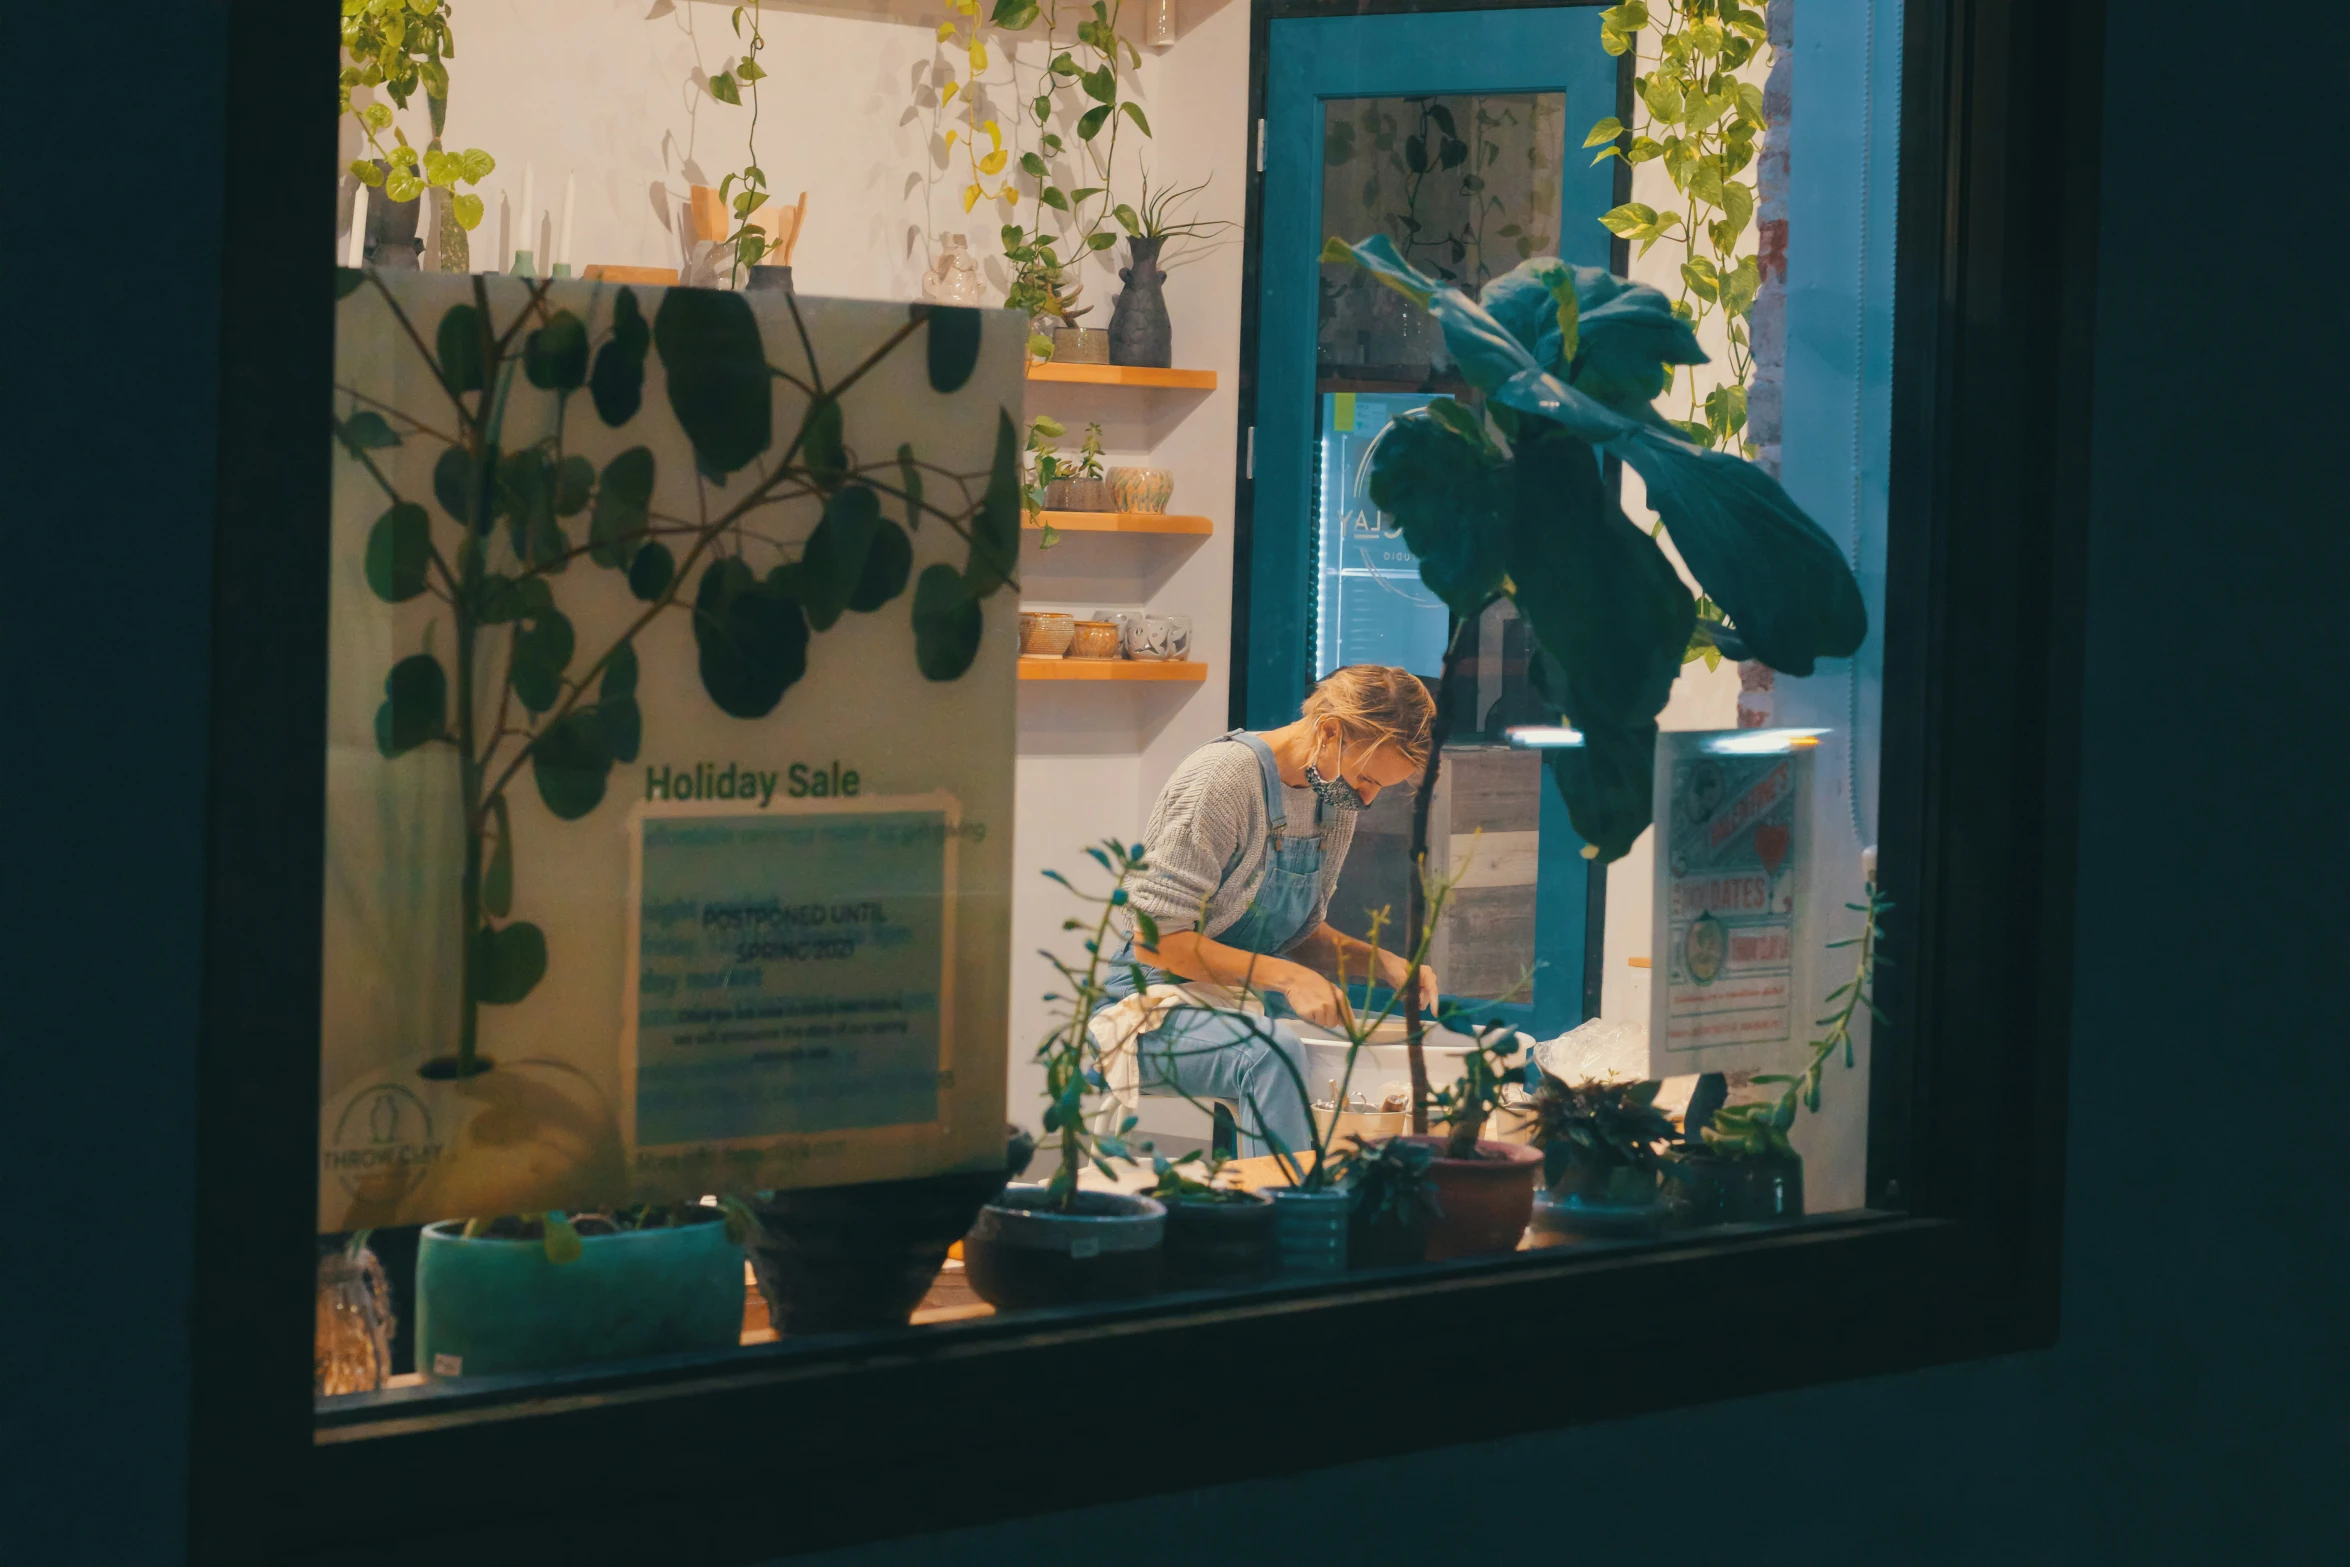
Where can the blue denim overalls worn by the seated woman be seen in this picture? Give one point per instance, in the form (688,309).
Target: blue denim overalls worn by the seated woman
(1226,1056)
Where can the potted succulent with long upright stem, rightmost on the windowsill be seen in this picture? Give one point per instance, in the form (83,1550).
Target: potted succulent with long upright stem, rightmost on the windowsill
(1745,1166)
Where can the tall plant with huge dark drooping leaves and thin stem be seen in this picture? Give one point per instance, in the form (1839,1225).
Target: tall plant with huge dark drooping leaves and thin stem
(1500,495)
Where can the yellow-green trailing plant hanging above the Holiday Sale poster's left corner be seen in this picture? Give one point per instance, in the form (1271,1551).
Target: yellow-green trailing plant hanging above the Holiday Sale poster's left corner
(403,48)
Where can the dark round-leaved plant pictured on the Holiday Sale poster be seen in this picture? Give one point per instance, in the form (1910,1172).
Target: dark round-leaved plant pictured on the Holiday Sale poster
(513,530)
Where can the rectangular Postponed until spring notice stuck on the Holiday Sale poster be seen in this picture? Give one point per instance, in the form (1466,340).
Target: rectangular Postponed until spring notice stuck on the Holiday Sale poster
(788,981)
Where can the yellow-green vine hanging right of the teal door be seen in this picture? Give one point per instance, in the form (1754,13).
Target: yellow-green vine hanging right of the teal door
(1705,126)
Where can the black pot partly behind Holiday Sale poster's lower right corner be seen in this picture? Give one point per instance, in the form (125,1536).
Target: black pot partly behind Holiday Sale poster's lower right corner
(861,1258)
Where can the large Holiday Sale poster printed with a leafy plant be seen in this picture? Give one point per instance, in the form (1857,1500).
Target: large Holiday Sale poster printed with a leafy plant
(669,746)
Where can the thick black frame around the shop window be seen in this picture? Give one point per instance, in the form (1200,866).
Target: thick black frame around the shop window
(1968,1091)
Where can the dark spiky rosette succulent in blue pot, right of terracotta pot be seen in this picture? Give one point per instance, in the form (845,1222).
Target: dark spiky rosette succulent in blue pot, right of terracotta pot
(1602,1155)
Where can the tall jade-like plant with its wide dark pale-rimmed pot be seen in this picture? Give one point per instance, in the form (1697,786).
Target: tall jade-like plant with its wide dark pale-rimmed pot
(1059,1244)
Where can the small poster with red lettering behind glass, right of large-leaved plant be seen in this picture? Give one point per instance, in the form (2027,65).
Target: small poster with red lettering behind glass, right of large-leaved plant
(1733,866)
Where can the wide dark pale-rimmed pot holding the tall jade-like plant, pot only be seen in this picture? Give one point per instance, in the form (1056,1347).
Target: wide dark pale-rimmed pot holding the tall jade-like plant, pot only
(1023,1256)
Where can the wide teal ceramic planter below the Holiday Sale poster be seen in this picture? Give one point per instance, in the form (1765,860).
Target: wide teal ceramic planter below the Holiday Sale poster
(490,1307)
